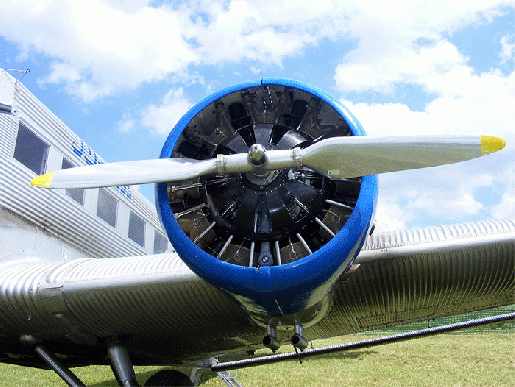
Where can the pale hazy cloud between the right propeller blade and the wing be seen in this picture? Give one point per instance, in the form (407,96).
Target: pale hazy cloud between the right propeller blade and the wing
(447,193)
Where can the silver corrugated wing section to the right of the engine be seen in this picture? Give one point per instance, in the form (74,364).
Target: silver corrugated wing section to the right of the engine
(426,273)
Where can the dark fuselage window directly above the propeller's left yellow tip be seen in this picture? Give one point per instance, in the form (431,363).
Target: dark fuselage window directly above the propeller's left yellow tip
(30,150)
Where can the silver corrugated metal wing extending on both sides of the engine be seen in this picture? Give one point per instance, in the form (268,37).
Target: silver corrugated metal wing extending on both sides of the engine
(165,313)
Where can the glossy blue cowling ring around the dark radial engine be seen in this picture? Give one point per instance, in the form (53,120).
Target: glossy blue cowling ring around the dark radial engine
(298,291)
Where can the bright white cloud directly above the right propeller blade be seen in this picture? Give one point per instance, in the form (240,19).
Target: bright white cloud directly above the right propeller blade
(481,104)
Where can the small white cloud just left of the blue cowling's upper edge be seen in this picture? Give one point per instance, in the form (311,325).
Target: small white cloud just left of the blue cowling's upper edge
(161,119)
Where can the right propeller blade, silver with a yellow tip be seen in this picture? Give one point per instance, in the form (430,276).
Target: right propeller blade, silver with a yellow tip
(346,157)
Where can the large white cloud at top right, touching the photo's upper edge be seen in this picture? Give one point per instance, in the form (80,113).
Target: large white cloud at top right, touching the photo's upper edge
(406,43)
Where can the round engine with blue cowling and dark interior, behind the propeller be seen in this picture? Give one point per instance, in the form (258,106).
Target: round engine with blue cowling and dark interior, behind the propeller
(277,242)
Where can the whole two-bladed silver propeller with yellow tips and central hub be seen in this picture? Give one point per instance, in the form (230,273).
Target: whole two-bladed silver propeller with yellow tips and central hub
(336,158)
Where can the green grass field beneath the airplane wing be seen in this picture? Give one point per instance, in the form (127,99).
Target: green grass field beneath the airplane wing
(475,359)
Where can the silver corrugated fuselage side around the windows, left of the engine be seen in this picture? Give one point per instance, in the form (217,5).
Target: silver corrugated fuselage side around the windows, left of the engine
(49,217)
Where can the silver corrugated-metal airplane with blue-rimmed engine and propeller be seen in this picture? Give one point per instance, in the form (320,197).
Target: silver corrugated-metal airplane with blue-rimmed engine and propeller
(263,236)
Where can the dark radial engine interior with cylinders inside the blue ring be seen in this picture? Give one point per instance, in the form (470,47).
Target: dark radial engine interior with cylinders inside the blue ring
(272,218)
